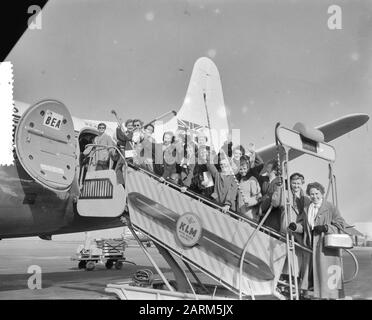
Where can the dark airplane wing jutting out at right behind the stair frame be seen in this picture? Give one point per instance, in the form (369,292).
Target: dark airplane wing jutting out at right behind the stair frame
(331,130)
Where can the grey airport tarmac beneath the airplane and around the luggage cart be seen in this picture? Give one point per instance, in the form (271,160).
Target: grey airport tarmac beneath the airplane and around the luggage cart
(62,279)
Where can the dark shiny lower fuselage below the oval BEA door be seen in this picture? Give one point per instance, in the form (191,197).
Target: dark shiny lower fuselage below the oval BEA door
(28,209)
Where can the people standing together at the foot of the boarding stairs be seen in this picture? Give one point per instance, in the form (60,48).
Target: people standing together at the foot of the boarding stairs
(310,218)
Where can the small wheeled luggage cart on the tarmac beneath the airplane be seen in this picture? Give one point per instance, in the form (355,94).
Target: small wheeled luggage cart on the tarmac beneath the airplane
(109,252)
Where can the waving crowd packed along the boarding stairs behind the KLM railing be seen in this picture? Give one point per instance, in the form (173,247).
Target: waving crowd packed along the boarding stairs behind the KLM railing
(229,177)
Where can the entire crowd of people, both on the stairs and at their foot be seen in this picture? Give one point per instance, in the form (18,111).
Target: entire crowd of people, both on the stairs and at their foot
(239,181)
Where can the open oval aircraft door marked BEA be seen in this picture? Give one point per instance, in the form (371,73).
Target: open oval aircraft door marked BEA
(45,145)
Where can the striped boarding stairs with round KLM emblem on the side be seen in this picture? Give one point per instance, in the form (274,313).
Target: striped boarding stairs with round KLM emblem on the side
(242,255)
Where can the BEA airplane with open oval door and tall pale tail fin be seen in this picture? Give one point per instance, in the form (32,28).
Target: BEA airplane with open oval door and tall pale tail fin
(40,193)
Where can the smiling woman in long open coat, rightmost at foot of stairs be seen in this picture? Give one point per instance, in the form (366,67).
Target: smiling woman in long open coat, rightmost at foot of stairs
(323,269)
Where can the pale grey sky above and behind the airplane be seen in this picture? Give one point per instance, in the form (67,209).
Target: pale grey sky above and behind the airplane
(278,62)
